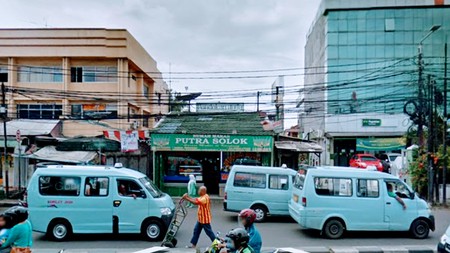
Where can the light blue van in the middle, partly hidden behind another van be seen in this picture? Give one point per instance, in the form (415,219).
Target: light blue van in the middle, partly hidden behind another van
(266,190)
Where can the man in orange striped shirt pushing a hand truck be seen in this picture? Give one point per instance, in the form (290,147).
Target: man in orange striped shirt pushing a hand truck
(204,216)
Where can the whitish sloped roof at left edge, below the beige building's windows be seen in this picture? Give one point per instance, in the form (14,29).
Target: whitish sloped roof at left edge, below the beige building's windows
(29,127)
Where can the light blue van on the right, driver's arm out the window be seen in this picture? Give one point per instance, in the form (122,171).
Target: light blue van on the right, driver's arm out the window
(335,200)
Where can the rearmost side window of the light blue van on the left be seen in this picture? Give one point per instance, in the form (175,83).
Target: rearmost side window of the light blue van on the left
(59,186)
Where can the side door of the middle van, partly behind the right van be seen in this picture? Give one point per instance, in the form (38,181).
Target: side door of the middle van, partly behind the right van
(278,195)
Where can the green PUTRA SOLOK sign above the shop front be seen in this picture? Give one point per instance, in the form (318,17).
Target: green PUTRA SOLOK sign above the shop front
(186,142)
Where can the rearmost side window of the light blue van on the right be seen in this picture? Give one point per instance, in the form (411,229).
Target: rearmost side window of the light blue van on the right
(333,186)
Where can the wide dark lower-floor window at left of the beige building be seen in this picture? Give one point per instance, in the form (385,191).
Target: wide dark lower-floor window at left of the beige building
(39,111)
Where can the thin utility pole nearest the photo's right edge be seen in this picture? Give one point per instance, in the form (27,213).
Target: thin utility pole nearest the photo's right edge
(444,172)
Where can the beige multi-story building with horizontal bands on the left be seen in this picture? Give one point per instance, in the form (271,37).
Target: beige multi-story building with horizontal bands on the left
(91,79)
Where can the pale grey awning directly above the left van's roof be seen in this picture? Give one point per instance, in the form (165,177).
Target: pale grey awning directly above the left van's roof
(50,153)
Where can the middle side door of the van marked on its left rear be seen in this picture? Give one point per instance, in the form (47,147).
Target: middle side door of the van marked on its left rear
(94,205)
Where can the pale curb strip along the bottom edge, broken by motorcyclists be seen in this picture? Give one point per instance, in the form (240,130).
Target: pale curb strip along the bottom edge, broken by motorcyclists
(361,249)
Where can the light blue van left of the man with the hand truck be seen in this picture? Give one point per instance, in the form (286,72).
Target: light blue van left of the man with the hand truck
(90,199)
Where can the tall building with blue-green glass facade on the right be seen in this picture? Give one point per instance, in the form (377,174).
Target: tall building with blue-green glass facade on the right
(361,60)
